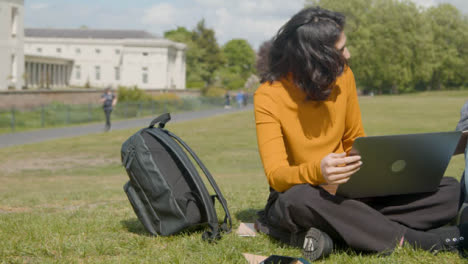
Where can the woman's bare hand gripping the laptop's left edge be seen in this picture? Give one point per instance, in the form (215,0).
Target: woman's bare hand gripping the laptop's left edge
(337,168)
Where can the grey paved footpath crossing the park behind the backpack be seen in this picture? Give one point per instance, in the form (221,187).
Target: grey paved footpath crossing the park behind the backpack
(21,138)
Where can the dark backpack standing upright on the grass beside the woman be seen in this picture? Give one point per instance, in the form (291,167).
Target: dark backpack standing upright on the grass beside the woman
(165,189)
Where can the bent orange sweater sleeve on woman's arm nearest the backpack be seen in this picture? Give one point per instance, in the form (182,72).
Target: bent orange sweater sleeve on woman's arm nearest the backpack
(280,174)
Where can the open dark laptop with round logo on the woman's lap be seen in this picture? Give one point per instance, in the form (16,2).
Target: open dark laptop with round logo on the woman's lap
(400,164)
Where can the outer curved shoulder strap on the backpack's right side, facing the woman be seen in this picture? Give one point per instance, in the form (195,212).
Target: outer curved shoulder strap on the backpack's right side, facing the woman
(227,223)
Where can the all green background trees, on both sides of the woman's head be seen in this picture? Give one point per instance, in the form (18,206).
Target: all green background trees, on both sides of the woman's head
(396,47)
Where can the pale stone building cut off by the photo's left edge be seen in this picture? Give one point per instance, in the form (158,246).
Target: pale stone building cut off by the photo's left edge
(11,44)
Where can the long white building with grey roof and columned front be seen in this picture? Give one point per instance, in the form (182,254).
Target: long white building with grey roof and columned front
(101,58)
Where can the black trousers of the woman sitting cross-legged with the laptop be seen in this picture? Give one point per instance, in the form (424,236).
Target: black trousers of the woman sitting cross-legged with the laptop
(371,224)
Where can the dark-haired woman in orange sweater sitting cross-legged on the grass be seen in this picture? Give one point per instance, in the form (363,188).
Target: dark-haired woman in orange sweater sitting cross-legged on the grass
(307,117)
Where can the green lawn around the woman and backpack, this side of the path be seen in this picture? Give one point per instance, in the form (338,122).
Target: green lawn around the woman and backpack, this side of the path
(62,201)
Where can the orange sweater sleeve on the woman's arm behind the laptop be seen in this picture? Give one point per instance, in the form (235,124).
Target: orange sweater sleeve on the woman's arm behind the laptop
(353,125)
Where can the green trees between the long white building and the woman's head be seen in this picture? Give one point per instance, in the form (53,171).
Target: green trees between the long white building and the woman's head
(214,67)
